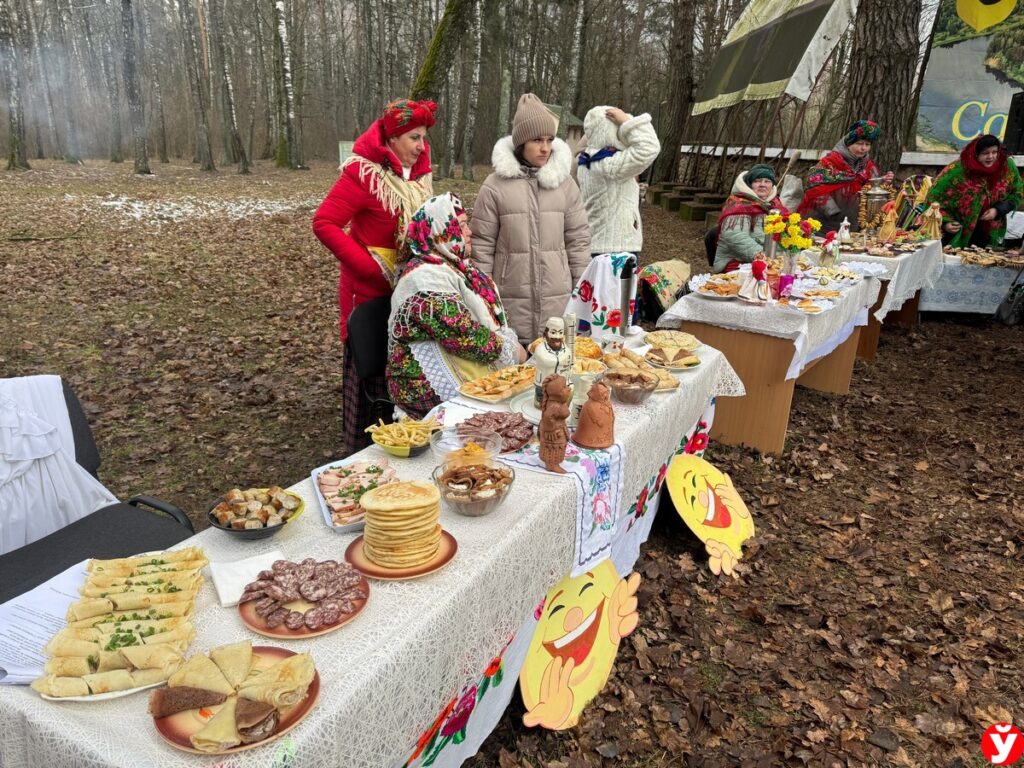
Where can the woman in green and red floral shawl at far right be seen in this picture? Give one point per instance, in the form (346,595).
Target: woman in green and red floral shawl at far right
(976,193)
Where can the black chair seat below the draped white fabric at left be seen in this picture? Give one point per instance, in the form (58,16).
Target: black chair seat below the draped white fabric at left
(117,531)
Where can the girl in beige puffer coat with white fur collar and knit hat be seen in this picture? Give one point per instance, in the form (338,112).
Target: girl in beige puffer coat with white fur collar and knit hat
(530,227)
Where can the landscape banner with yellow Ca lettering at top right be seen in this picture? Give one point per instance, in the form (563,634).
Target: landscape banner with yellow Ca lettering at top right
(975,67)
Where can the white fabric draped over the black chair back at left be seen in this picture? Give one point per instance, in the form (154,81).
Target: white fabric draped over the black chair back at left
(42,489)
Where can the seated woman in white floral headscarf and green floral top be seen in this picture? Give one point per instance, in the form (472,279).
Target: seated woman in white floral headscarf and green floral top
(448,325)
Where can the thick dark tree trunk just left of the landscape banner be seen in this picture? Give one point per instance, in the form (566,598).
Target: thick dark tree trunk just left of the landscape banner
(884,61)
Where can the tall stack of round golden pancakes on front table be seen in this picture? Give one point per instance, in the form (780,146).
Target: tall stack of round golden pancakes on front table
(402,525)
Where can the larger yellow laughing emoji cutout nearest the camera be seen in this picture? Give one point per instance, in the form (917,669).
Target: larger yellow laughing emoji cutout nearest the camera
(575,645)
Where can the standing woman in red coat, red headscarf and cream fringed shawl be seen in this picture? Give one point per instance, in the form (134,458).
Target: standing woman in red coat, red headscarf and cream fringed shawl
(363,222)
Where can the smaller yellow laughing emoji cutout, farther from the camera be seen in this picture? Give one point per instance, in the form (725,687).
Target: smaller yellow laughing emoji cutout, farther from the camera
(710,505)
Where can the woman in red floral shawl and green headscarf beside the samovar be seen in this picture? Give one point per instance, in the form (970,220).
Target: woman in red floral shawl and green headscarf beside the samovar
(832,191)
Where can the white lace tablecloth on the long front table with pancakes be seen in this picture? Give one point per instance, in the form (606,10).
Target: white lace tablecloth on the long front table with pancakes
(416,643)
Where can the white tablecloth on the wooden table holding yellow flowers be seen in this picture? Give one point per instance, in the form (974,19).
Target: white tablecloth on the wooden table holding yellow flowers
(814,335)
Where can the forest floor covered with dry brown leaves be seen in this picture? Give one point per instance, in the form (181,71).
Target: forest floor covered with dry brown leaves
(879,620)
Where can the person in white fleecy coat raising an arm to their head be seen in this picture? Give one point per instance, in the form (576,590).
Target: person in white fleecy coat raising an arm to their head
(620,148)
